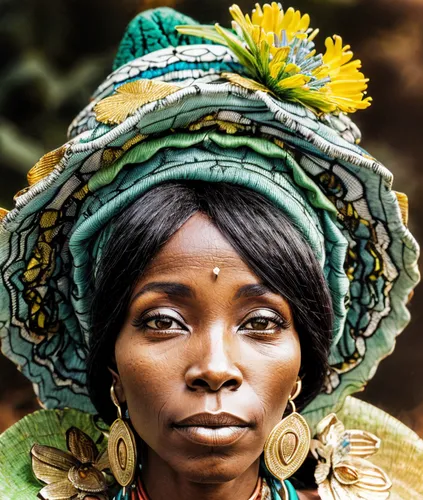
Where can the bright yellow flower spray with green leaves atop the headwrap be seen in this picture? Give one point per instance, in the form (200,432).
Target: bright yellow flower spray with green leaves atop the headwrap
(276,47)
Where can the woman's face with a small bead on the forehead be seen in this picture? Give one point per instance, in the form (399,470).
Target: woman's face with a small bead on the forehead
(205,364)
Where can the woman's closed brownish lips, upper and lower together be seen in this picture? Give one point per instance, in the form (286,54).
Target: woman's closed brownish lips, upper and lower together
(212,429)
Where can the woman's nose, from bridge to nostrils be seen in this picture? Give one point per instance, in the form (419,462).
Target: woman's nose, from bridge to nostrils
(213,368)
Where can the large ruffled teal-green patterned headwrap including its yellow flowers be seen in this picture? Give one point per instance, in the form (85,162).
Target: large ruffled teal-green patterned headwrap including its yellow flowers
(179,107)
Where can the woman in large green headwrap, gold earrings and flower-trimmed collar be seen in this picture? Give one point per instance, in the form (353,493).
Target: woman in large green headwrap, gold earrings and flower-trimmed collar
(199,279)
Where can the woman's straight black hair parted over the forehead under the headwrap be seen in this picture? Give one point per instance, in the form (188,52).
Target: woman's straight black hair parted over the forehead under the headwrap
(261,234)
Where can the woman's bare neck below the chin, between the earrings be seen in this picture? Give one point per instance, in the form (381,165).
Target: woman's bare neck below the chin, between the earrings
(161,483)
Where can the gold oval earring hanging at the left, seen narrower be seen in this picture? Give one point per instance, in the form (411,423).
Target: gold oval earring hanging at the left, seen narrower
(121,447)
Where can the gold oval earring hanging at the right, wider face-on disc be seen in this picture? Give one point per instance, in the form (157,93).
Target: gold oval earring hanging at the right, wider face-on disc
(288,444)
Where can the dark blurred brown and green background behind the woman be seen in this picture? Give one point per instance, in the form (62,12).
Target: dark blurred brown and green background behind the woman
(54,53)
